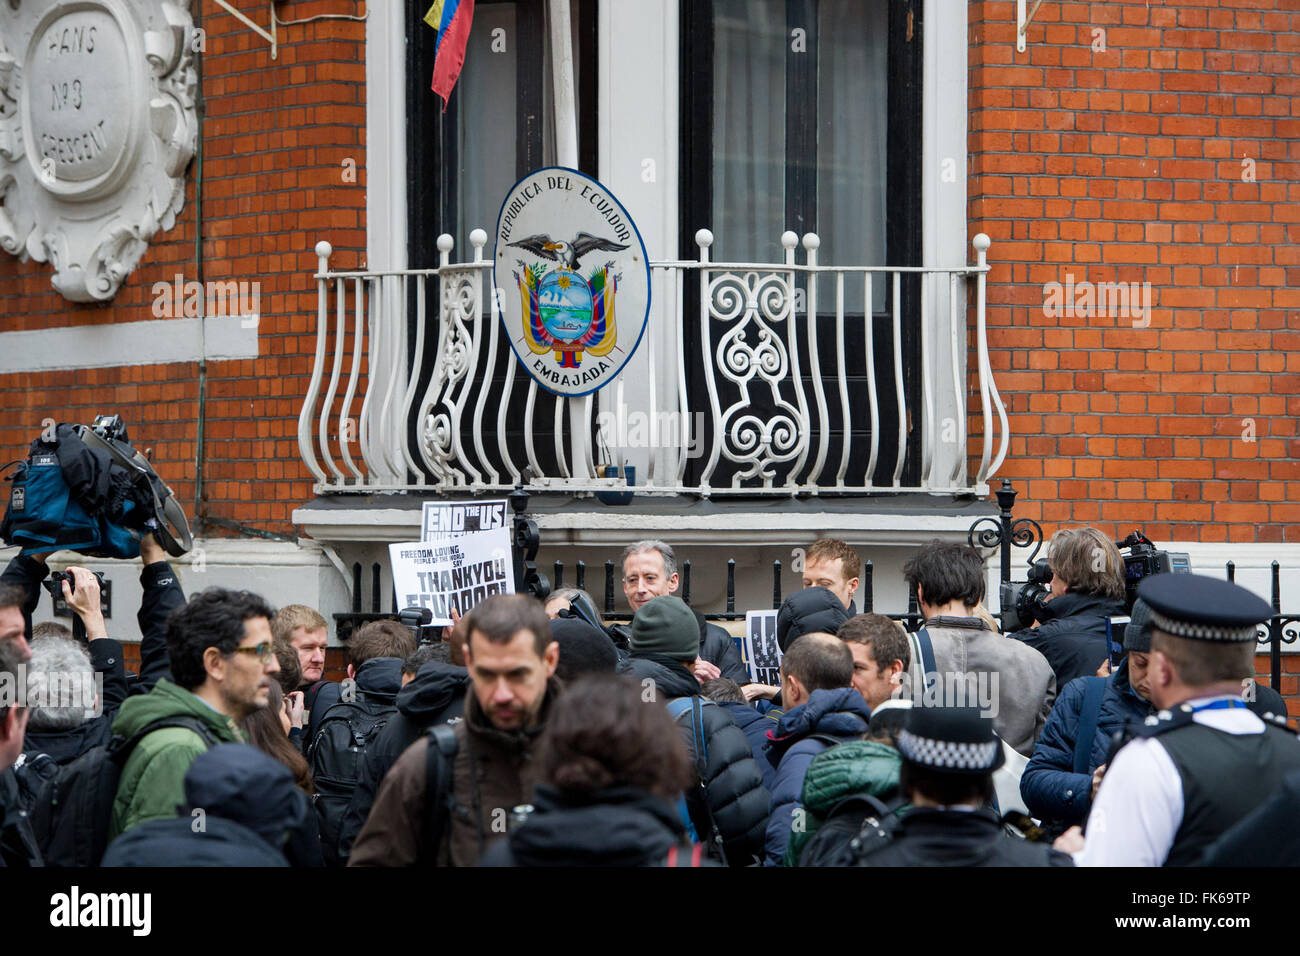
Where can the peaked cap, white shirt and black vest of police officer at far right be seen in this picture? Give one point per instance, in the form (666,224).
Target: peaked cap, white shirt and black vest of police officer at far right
(1194,771)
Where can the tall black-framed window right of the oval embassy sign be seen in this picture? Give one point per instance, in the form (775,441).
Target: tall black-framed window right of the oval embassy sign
(805,116)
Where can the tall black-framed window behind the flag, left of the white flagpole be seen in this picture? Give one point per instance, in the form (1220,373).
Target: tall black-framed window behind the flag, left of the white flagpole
(500,126)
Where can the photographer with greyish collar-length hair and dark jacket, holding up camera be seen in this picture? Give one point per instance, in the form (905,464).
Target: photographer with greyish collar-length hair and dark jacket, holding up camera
(1087,586)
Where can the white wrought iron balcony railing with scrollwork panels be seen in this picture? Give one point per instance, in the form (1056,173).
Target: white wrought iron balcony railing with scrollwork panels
(740,383)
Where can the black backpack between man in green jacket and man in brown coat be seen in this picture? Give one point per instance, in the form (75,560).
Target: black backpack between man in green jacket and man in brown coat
(336,755)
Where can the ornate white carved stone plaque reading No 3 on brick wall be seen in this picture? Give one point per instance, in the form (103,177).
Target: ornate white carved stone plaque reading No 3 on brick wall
(97,129)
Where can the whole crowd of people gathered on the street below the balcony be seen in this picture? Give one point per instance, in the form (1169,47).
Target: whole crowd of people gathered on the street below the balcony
(538,734)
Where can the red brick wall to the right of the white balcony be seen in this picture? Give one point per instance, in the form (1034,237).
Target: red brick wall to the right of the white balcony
(1128,166)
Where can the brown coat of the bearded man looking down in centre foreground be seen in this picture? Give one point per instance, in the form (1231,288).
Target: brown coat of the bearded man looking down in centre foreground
(493,771)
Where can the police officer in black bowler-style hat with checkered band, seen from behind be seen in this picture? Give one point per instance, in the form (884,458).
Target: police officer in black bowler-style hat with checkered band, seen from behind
(948,762)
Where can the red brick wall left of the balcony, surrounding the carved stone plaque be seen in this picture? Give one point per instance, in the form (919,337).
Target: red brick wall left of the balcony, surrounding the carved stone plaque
(275,136)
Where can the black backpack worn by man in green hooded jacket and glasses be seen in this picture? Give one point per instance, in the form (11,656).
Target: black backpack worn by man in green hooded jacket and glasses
(73,812)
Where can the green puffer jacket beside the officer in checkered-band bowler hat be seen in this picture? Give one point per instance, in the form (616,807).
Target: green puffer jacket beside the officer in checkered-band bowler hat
(837,775)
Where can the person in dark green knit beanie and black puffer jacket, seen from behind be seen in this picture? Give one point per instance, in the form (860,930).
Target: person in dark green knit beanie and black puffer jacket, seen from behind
(664,648)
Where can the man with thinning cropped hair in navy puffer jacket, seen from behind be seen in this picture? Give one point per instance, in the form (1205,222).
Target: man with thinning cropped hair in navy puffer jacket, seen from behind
(825,710)
